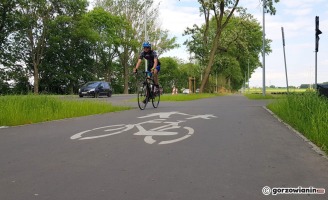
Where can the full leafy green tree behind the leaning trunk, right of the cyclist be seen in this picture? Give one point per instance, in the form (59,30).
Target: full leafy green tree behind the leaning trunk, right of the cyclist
(240,46)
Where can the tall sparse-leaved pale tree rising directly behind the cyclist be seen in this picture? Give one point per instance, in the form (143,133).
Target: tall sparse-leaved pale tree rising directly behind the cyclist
(136,11)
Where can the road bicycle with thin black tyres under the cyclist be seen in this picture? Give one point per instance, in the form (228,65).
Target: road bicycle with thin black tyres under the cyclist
(147,91)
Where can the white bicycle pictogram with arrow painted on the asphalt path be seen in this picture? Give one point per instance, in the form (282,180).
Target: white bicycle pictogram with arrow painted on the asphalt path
(168,129)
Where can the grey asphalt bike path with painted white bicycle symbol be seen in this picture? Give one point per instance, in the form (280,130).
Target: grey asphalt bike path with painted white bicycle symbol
(218,148)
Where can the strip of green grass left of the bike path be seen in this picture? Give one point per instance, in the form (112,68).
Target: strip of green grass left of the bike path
(18,110)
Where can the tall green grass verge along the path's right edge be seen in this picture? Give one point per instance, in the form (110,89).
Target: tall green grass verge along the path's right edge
(307,113)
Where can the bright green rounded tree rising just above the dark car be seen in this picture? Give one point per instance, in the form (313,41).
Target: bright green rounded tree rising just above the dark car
(109,33)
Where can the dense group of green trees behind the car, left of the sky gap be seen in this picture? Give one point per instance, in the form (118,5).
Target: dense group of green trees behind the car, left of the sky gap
(59,45)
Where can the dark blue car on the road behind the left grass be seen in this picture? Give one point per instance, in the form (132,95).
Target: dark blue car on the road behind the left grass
(96,89)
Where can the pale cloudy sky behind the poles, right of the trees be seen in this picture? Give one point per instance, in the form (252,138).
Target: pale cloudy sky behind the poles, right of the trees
(297,18)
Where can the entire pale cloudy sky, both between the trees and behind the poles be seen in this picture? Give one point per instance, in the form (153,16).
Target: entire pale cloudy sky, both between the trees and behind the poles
(298,20)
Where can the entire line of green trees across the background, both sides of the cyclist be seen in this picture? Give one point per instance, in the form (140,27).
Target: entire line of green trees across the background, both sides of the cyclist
(51,46)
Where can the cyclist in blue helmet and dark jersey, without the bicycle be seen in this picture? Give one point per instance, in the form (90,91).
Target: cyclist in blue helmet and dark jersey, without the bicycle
(153,62)
